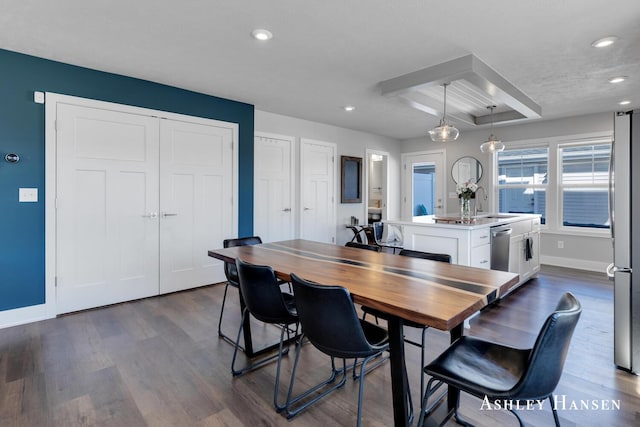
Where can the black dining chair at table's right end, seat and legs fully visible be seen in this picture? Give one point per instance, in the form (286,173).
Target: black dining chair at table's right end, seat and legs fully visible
(494,371)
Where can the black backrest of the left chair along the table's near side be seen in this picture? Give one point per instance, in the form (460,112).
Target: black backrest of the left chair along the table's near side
(261,292)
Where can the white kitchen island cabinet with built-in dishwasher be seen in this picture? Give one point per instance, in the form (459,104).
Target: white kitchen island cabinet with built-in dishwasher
(470,243)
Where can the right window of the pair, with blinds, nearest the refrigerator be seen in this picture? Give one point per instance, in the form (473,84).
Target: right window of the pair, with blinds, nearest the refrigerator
(583,185)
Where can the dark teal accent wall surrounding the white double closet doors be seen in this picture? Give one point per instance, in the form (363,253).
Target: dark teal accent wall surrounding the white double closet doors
(22,131)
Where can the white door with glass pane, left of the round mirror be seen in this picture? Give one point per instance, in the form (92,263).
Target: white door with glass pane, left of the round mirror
(423,184)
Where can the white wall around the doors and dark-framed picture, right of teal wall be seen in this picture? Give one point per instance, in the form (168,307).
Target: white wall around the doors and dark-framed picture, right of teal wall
(350,143)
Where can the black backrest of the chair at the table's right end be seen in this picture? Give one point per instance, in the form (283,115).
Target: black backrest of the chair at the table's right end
(547,357)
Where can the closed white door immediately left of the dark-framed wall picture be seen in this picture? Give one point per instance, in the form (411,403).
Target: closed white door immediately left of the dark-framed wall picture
(318,209)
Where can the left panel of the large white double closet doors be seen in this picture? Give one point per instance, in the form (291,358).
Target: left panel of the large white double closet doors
(107,207)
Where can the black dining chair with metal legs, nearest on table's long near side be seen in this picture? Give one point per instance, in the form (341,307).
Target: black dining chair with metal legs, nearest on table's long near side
(330,323)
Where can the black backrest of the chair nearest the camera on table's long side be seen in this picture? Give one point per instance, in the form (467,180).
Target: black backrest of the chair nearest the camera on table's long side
(329,319)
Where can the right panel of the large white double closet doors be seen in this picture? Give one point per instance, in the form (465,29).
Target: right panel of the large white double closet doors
(195,202)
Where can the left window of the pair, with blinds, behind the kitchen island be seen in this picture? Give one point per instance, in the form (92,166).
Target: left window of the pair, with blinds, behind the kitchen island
(522,180)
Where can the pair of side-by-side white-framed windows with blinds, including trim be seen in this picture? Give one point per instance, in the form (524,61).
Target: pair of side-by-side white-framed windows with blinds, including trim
(564,179)
